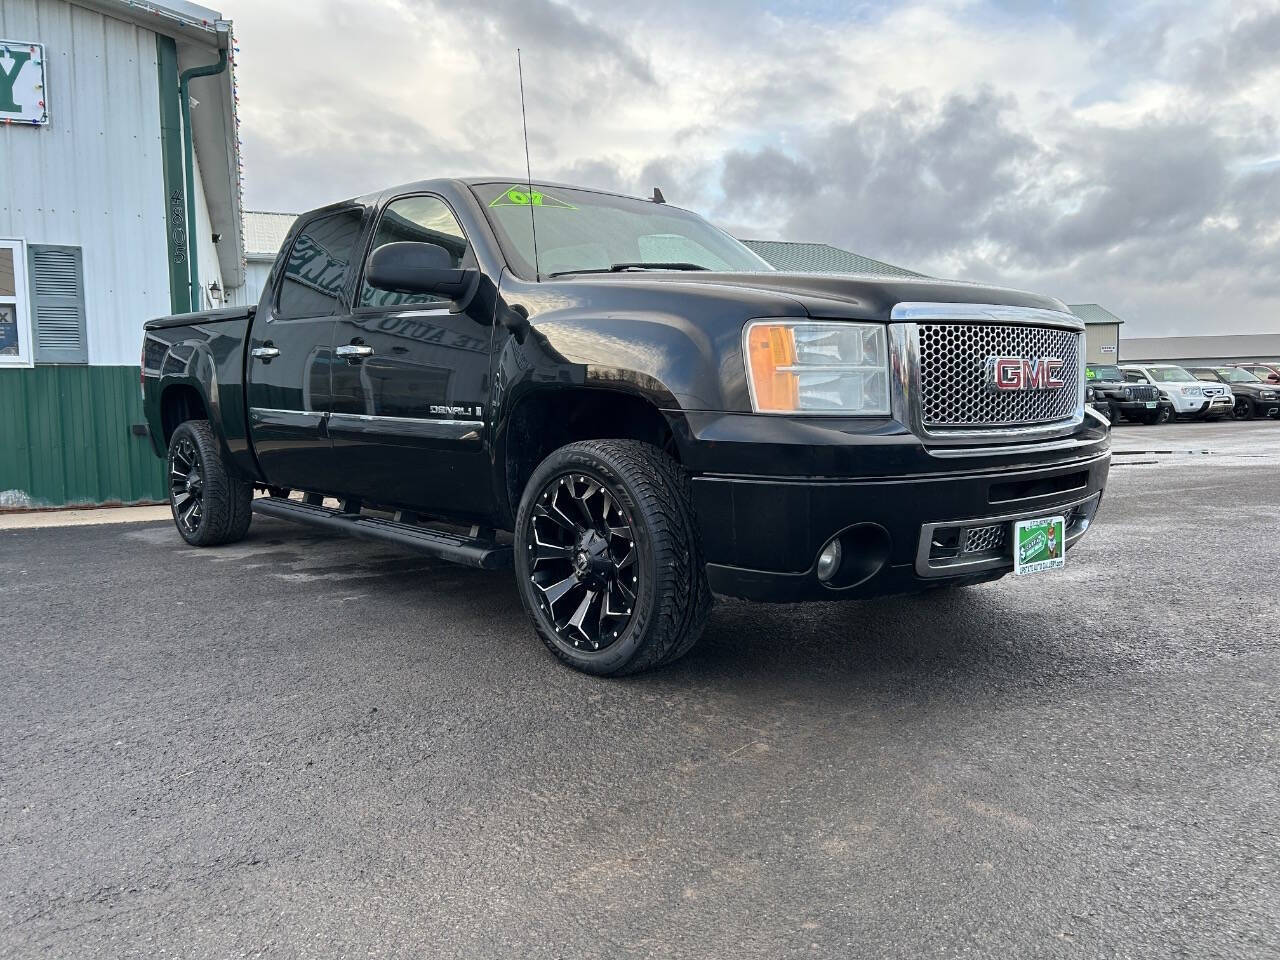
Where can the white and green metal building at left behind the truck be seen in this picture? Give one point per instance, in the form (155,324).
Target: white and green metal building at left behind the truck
(120,202)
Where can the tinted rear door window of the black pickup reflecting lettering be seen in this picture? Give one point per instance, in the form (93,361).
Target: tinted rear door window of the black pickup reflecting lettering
(318,267)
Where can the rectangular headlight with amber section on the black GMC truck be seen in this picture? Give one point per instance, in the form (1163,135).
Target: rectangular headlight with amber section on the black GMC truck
(817,367)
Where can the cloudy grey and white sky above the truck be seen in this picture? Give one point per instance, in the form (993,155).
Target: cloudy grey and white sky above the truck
(1122,153)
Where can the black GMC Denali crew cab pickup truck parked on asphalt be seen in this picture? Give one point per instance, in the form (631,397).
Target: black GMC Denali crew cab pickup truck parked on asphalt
(630,409)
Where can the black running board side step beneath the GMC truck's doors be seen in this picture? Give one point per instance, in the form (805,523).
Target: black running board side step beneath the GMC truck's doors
(467,551)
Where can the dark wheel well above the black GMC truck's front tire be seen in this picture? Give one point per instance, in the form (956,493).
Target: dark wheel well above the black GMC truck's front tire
(547,420)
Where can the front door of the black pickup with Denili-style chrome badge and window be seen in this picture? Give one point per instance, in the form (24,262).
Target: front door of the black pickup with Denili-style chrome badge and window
(412,383)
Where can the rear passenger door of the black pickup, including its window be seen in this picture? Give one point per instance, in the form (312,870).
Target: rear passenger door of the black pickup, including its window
(291,354)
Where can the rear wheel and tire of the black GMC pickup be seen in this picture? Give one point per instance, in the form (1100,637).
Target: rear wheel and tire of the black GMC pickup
(209,505)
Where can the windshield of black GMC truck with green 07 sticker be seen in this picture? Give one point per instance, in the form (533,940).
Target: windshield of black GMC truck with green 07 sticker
(580,231)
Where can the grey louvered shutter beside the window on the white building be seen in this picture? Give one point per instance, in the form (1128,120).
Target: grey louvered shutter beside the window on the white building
(58,304)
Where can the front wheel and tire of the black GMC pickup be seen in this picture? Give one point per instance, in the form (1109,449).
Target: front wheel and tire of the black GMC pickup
(609,561)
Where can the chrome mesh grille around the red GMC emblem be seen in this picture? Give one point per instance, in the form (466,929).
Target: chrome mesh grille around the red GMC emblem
(954,391)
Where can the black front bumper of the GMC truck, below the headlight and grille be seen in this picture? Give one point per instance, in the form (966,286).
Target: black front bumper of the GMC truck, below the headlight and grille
(762,536)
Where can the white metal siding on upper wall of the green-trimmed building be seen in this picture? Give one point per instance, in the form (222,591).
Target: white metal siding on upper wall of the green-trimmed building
(93,179)
